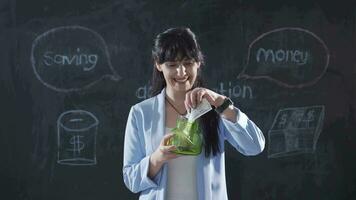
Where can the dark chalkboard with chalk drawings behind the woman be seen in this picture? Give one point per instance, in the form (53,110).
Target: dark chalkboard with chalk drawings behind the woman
(71,70)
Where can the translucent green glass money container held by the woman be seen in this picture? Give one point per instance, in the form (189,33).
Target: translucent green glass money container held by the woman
(187,137)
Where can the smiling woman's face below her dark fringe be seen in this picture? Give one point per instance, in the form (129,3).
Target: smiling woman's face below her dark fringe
(179,75)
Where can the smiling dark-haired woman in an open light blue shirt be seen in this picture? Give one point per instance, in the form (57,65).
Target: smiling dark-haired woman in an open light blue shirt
(149,165)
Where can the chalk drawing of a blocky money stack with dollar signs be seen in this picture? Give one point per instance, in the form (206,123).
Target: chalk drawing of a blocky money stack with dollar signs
(295,131)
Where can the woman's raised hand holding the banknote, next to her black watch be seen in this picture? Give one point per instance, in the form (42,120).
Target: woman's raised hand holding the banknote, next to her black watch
(195,96)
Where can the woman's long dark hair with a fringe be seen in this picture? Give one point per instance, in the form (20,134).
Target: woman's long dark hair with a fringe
(178,44)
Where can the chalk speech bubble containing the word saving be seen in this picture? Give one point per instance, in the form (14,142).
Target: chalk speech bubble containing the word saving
(71,58)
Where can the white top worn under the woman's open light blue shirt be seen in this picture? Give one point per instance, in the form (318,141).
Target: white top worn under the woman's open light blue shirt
(181,182)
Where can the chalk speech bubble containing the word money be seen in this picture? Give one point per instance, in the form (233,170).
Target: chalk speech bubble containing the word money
(291,57)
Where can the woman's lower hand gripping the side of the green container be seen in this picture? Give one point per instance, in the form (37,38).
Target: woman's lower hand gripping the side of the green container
(162,154)
